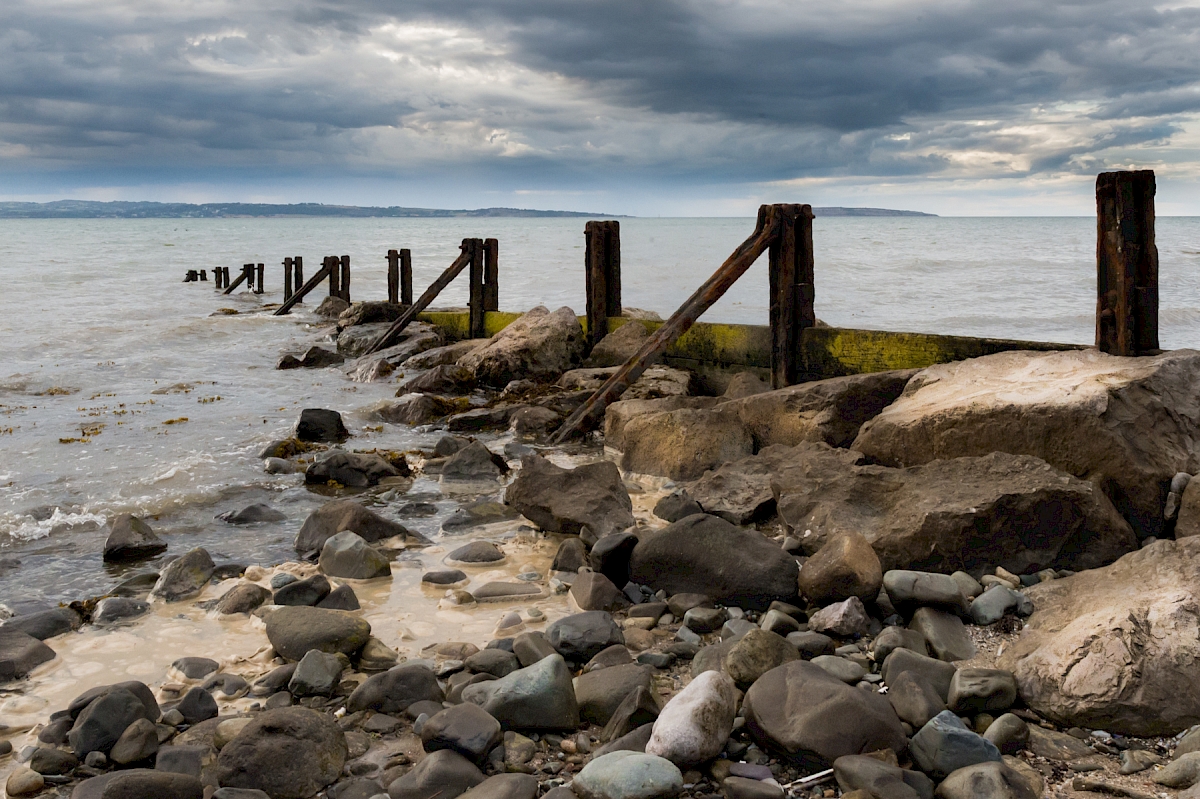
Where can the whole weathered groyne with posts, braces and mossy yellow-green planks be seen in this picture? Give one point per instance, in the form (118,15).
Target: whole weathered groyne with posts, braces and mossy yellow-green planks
(794,347)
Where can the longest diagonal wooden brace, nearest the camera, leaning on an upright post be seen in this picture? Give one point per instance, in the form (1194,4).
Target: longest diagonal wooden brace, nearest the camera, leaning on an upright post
(682,321)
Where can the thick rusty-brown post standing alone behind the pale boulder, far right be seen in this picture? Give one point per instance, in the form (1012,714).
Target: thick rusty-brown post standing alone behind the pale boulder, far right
(1126,265)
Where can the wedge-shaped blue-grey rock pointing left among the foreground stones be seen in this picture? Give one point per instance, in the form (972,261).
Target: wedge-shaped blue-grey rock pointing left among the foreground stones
(536,698)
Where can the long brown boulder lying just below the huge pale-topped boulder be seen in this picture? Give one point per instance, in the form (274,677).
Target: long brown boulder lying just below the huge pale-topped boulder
(967,514)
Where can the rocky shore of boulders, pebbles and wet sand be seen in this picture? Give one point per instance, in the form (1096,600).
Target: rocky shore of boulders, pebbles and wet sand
(974,581)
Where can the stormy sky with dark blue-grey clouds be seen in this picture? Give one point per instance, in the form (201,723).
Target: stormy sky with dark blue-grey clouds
(651,107)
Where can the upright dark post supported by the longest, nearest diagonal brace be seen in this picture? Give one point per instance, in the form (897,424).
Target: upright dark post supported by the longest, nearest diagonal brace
(791,292)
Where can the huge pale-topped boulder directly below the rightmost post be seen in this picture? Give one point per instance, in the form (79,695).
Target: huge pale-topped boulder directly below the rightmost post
(1127,424)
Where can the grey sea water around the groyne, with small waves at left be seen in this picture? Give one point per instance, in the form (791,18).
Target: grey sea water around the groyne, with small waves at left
(101,341)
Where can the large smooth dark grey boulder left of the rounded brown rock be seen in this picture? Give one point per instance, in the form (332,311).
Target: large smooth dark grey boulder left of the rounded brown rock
(706,555)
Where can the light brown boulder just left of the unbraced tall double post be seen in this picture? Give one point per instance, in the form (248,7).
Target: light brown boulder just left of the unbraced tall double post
(539,346)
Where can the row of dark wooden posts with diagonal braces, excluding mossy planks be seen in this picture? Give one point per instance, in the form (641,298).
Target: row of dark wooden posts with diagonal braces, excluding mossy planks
(1126,315)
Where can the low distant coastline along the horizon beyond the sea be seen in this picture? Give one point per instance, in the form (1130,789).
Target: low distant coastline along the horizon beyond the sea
(127,211)
